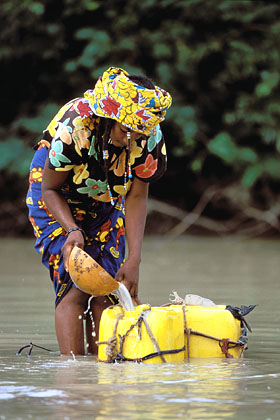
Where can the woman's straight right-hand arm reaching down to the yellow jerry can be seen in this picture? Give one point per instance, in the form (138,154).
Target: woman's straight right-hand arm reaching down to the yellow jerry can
(135,219)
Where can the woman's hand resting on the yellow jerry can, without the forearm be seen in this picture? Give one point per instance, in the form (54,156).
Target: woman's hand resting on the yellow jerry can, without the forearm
(129,275)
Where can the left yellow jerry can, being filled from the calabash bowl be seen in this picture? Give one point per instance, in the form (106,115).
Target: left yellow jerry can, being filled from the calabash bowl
(147,334)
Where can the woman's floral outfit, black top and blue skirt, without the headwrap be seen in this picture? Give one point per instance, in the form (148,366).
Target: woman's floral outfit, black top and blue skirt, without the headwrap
(69,141)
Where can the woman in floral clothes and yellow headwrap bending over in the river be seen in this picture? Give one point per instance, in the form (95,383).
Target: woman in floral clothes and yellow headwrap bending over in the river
(89,186)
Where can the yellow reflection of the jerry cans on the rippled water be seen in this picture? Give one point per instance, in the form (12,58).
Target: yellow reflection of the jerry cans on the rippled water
(181,389)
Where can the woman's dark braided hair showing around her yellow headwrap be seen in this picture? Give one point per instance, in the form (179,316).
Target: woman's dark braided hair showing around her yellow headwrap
(103,130)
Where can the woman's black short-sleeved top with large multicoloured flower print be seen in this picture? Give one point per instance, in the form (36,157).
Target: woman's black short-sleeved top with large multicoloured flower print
(72,137)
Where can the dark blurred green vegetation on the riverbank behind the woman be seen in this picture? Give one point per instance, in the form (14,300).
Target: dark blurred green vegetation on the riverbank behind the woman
(219,59)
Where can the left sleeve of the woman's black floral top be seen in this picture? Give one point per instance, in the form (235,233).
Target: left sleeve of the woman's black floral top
(69,139)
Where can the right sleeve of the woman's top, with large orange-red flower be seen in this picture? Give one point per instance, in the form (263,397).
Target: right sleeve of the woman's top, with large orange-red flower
(152,163)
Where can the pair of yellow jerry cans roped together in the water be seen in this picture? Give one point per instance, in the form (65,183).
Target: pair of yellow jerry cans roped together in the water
(168,334)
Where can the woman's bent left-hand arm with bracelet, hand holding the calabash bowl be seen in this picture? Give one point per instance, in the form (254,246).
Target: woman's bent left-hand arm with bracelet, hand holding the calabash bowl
(56,204)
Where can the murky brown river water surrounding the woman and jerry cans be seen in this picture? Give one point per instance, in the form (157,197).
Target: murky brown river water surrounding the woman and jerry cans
(48,386)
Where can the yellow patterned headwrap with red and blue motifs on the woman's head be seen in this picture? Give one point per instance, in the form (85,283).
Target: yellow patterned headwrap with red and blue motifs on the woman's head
(136,107)
